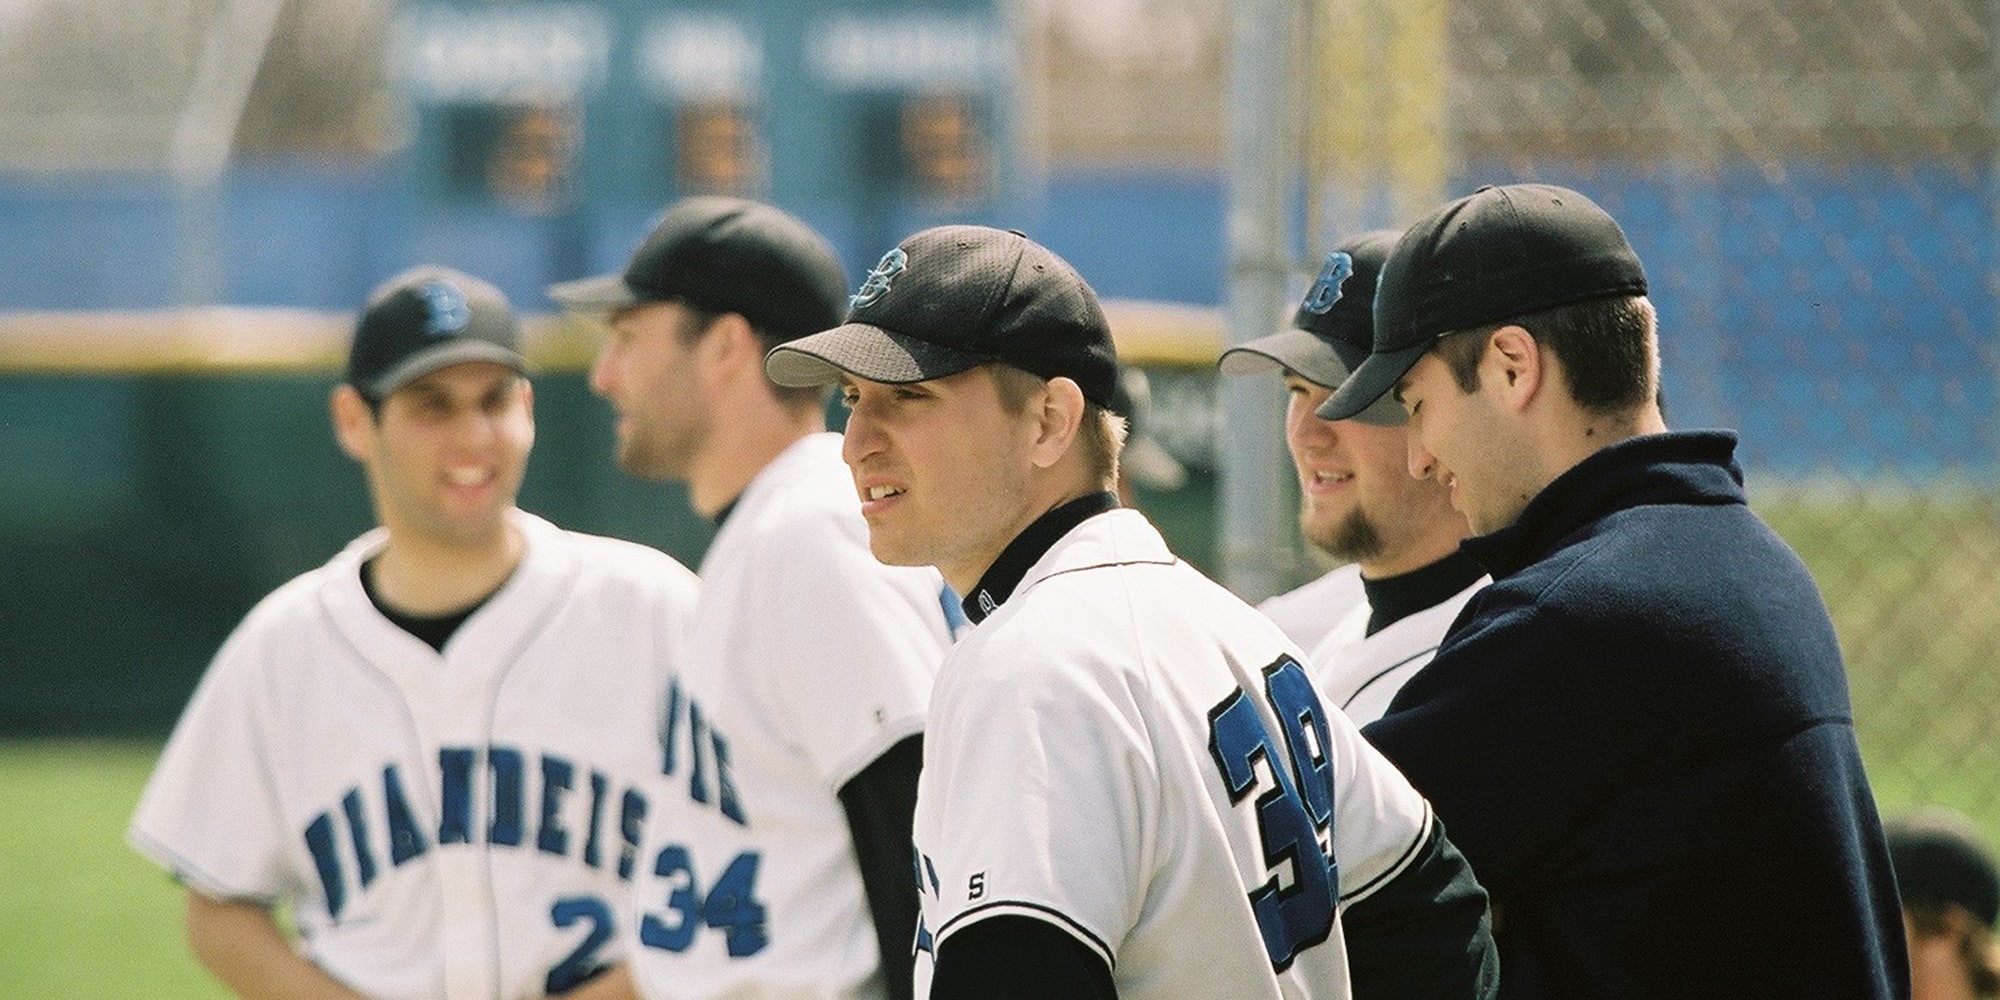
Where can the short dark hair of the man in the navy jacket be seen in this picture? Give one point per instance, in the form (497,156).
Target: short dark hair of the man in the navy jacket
(1605,345)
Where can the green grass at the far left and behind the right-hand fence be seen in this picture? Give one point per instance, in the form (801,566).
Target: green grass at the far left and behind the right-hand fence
(1915,589)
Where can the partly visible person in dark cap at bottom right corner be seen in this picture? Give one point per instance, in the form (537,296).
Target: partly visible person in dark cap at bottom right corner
(1951,903)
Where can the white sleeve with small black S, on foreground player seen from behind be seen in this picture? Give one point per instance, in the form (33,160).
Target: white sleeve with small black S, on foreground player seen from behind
(1049,801)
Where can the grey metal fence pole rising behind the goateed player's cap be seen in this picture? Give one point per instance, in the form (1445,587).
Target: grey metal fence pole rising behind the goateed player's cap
(1261,163)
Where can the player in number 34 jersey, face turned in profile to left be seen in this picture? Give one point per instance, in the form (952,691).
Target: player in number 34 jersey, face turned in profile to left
(783,857)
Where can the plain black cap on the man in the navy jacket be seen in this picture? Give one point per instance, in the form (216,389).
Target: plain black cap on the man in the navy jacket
(1489,257)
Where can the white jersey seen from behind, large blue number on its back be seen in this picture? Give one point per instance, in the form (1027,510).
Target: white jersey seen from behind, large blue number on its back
(1133,755)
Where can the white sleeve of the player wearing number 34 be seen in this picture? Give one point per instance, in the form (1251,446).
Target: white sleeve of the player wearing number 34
(861,649)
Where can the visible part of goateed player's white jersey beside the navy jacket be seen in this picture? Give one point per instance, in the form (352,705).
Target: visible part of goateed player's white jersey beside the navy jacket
(1363,673)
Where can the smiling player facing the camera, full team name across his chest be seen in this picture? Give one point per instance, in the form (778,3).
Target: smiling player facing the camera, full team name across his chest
(439,749)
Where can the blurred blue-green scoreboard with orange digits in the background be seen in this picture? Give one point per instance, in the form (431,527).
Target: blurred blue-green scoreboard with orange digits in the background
(551,107)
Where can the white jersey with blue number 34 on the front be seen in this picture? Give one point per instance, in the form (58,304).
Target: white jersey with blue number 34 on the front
(809,659)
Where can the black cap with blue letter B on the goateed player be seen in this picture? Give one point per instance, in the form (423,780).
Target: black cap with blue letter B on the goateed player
(1335,327)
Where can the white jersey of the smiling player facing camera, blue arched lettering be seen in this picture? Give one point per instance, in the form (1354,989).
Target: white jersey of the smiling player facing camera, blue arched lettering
(457,825)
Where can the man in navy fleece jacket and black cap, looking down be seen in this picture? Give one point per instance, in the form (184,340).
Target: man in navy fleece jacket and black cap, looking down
(1641,729)
